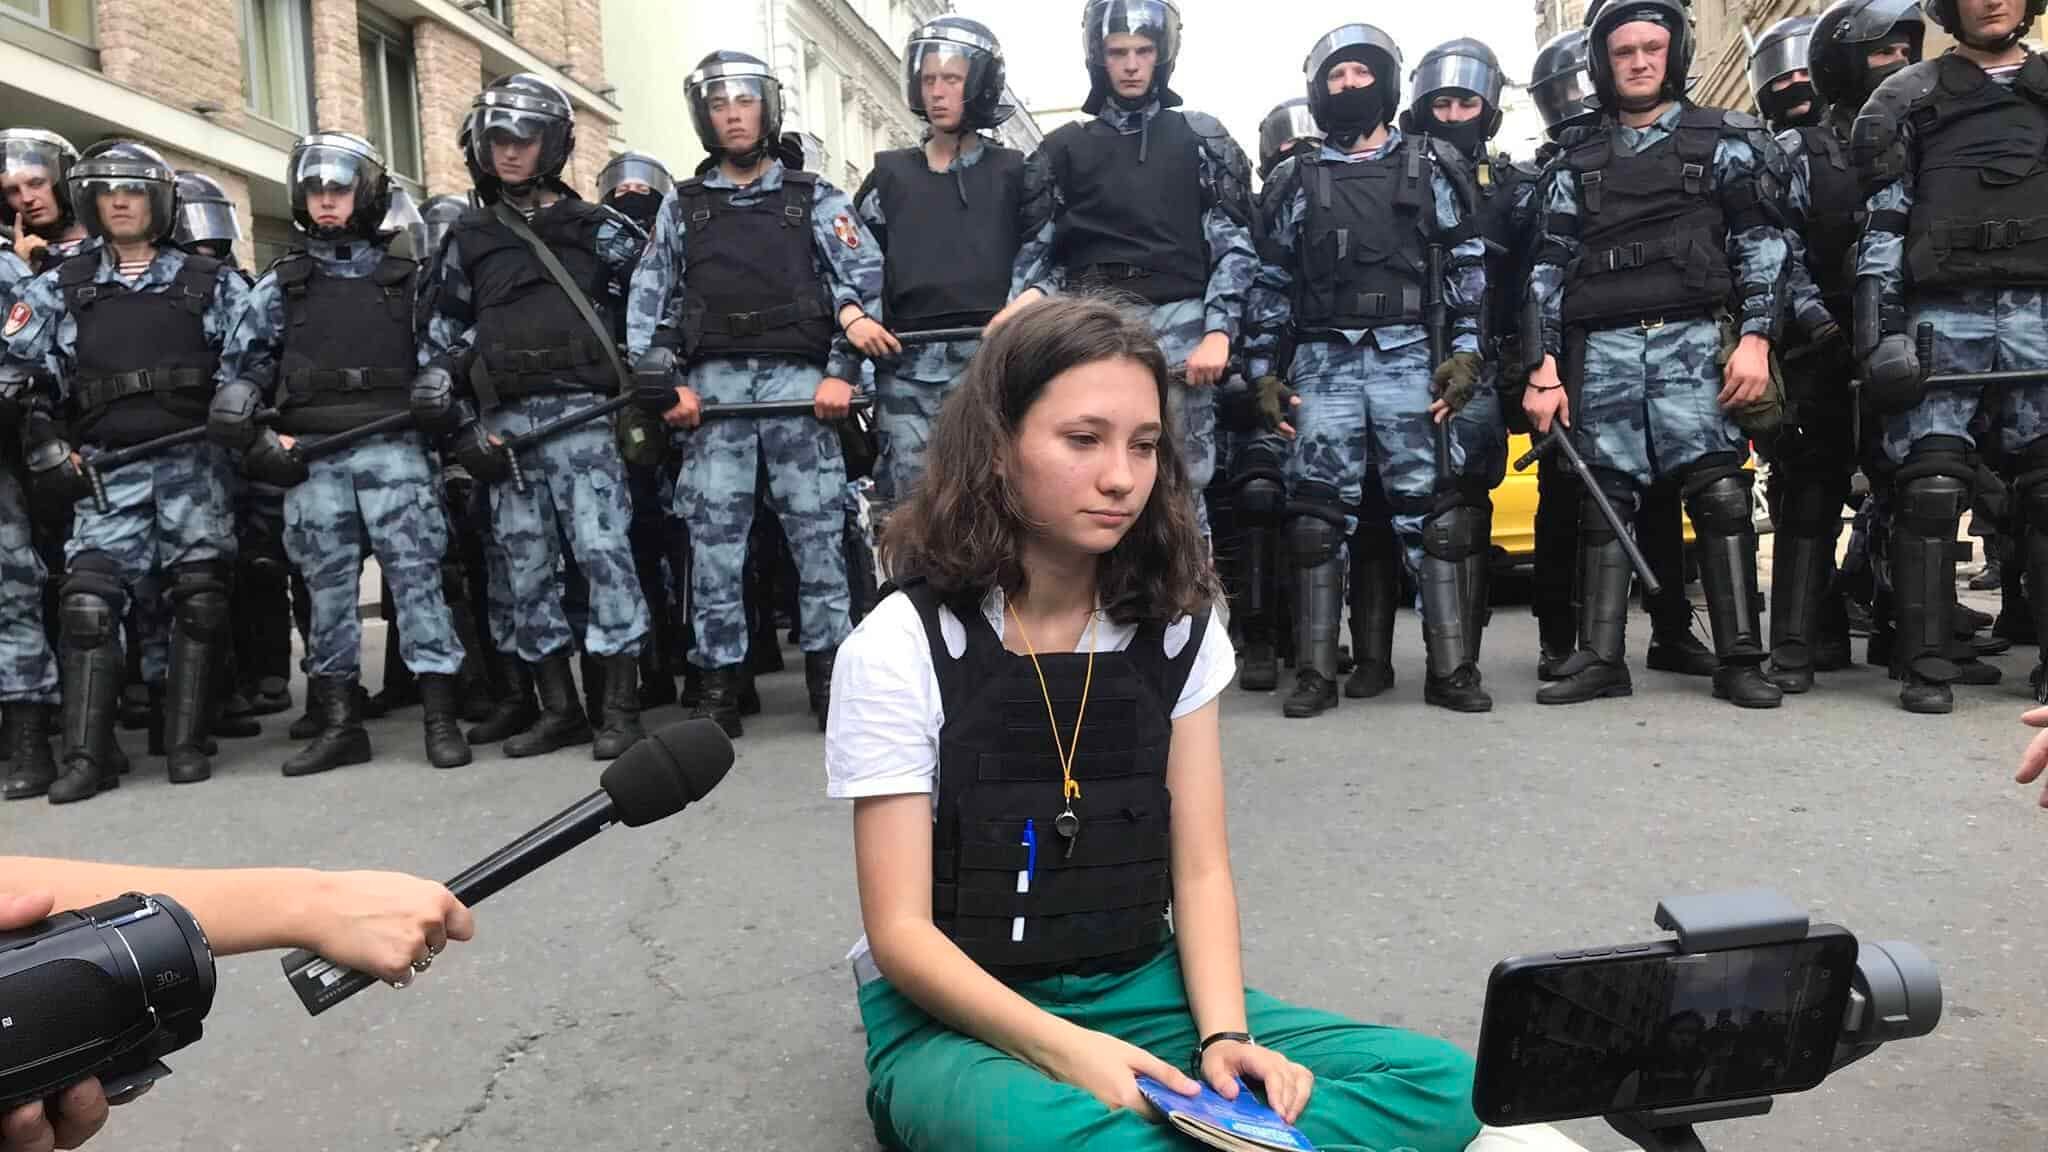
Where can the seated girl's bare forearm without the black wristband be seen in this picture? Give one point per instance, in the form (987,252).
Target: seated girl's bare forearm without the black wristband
(959,993)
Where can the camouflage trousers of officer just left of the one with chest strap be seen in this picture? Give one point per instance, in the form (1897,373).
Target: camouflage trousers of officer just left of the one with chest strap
(376,495)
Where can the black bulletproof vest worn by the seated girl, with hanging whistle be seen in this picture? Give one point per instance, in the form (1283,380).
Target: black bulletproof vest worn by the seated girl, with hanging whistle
(1105,907)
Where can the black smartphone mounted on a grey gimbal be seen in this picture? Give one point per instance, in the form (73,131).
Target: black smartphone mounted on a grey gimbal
(1748,1003)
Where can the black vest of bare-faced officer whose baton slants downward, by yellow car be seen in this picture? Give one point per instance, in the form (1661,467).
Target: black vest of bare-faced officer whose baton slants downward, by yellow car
(1652,233)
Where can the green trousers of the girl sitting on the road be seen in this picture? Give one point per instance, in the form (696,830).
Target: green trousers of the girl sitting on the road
(933,1089)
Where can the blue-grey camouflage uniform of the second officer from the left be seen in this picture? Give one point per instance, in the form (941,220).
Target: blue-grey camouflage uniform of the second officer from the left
(167,509)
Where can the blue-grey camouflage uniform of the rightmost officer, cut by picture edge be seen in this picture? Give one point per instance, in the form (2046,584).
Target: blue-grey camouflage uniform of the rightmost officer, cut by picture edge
(1981,329)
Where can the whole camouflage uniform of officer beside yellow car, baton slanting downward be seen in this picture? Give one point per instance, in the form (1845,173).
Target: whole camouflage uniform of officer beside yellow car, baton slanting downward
(1650,403)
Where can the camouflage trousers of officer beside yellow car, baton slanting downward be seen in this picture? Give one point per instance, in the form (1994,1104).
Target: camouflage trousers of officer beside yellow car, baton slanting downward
(1652,401)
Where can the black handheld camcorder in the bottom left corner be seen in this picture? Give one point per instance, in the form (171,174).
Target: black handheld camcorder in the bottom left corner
(105,991)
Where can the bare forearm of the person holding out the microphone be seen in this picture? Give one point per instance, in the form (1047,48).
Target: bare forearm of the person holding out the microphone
(253,909)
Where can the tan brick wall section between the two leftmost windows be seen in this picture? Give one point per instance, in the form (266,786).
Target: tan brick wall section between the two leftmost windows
(181,52)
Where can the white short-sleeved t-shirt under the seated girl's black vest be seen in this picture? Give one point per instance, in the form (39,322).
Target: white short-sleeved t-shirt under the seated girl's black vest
(882,735)
